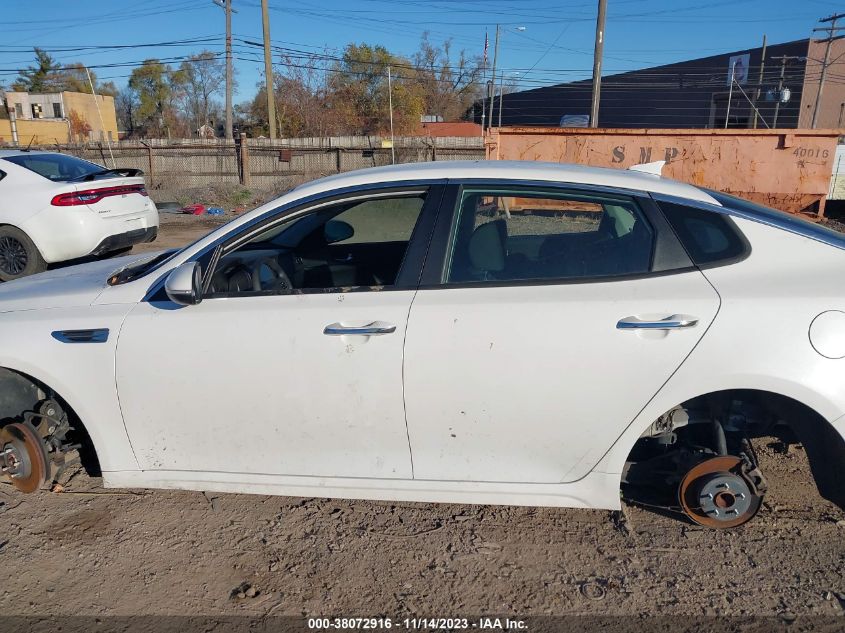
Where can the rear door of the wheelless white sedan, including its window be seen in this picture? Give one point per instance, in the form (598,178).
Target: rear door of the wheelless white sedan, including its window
(546,320)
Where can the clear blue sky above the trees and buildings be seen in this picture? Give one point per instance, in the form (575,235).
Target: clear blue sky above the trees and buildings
(556,44)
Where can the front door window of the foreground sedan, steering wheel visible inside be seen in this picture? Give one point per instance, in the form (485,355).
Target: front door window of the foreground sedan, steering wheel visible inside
(355,244)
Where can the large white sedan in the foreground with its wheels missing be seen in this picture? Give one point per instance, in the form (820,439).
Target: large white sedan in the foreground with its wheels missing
(473,332)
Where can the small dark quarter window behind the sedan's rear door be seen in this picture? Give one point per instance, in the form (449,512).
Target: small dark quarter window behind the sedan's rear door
(709,237)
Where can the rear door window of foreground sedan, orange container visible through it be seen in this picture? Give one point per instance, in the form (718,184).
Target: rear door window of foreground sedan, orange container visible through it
(507,235)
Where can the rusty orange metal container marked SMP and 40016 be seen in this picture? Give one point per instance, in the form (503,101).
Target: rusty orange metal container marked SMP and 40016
(785,169)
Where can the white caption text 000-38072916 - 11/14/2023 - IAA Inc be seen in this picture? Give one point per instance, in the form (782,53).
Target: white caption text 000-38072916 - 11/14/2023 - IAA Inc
(417,624)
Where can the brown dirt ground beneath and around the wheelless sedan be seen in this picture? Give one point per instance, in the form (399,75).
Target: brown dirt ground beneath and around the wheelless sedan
(95,552)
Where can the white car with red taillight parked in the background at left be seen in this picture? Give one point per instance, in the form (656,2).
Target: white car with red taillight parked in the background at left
(55,208)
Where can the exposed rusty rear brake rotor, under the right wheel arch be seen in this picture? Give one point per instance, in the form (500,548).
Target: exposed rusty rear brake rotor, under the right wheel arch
(715,493)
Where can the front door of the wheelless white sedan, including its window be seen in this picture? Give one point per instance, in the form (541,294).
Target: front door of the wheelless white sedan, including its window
(292,363)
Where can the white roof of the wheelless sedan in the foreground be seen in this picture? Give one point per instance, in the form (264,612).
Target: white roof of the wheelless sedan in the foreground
(509,170)
